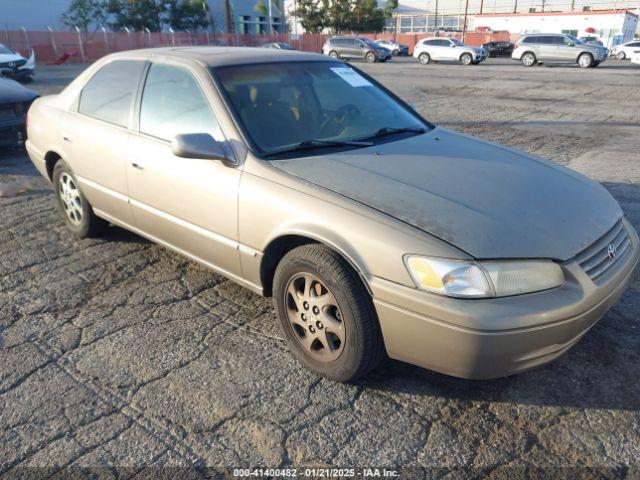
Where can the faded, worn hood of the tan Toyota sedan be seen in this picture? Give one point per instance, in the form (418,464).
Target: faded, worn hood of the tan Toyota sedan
(488,200)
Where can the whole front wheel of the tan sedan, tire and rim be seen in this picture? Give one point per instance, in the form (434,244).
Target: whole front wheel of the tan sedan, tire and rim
(338,337)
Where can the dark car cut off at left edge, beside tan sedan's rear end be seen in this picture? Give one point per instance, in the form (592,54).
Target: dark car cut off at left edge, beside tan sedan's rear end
(14,104)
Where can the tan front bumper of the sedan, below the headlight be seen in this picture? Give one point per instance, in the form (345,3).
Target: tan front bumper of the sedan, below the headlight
(489,338)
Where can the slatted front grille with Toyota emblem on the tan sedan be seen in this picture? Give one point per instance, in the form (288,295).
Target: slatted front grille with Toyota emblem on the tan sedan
(596,260)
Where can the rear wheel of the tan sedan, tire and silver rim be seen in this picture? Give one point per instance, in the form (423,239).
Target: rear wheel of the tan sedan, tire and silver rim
(76,211)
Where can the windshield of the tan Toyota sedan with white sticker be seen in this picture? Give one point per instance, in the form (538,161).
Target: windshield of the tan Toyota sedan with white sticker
(283,105)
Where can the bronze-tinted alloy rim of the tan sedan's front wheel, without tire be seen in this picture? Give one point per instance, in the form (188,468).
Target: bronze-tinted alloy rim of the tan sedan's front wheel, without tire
(315,317)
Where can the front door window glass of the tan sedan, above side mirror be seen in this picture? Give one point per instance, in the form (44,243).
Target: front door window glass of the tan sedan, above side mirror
(173,104)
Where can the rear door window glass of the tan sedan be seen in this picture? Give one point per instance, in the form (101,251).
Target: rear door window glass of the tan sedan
(109,93)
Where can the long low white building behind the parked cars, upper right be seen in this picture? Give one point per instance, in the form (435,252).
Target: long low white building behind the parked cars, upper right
(610,26)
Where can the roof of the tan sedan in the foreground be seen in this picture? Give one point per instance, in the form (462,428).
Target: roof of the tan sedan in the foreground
(221,56)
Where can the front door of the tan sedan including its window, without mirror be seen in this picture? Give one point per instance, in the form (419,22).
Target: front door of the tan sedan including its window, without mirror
(187,204)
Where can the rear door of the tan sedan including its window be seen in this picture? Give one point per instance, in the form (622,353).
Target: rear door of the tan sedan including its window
(95,134)
